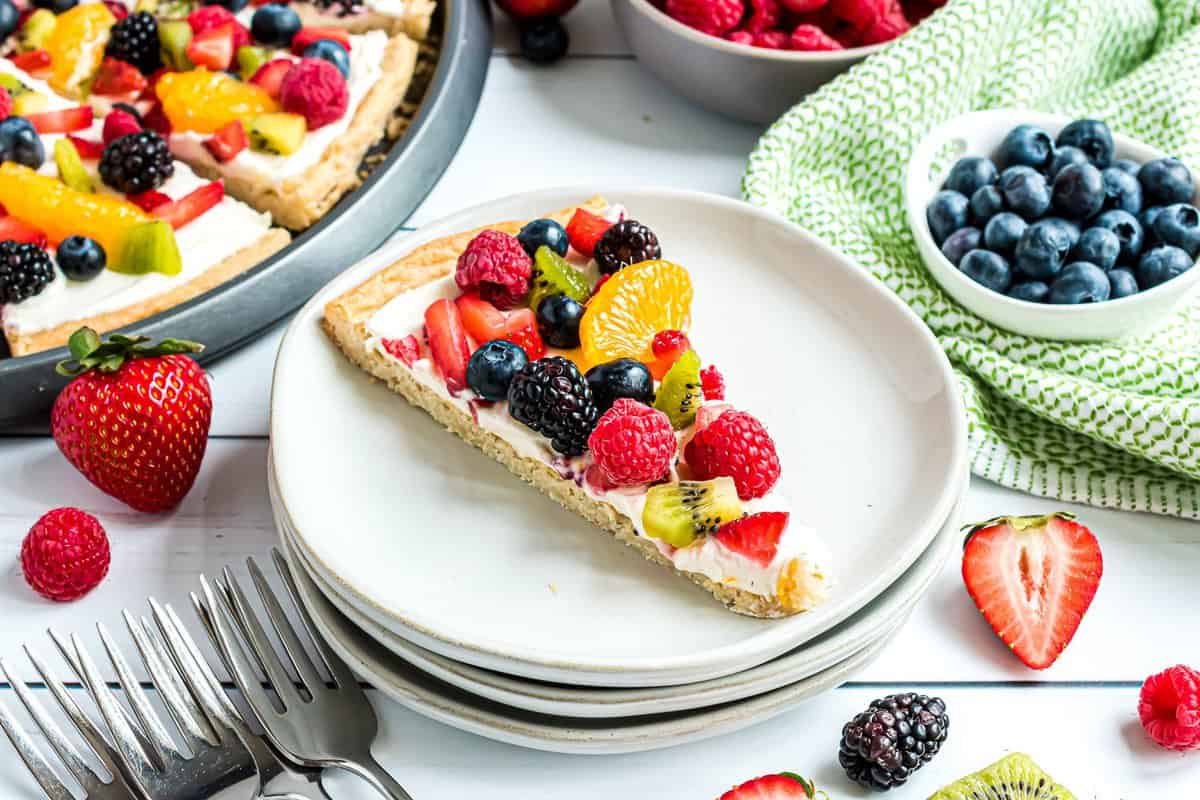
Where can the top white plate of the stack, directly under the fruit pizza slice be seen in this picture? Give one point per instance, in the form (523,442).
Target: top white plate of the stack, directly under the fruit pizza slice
(445,548)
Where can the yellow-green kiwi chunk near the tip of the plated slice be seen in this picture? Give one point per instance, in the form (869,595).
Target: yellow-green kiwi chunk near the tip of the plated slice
(680,514)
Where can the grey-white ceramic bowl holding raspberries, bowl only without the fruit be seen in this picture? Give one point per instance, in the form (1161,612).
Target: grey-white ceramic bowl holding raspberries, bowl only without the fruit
(751,83)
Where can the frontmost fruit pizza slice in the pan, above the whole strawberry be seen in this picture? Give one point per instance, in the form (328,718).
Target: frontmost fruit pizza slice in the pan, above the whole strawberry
(101,227)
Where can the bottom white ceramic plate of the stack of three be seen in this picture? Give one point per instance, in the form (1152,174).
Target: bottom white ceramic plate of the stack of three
(418,691)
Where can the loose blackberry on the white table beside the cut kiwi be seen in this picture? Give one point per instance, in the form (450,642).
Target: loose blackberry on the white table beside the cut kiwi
(892,739)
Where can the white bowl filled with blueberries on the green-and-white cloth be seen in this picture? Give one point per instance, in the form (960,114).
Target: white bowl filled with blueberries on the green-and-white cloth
(1053,227)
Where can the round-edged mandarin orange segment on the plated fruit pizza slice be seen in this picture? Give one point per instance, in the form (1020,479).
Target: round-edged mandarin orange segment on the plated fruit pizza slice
(632,306)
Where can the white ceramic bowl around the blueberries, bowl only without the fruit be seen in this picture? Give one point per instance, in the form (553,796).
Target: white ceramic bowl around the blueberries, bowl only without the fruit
(981,134)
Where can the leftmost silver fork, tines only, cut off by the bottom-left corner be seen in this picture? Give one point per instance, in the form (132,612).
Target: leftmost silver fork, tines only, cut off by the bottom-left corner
(95,786)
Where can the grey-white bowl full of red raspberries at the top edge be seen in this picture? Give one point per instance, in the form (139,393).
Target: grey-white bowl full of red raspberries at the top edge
(755,59)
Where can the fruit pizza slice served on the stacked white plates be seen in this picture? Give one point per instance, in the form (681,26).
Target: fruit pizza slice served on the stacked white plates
(565,354)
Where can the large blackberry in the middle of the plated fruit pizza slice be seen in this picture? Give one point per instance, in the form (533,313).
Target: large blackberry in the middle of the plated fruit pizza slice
(554,399)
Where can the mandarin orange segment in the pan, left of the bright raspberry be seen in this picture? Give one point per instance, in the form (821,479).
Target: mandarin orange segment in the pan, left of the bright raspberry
(206,103)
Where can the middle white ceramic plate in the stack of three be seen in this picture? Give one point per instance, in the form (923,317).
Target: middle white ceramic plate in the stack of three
(878,621)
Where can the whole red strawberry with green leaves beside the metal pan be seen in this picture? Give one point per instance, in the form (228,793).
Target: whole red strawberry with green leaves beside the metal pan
(136,418)
